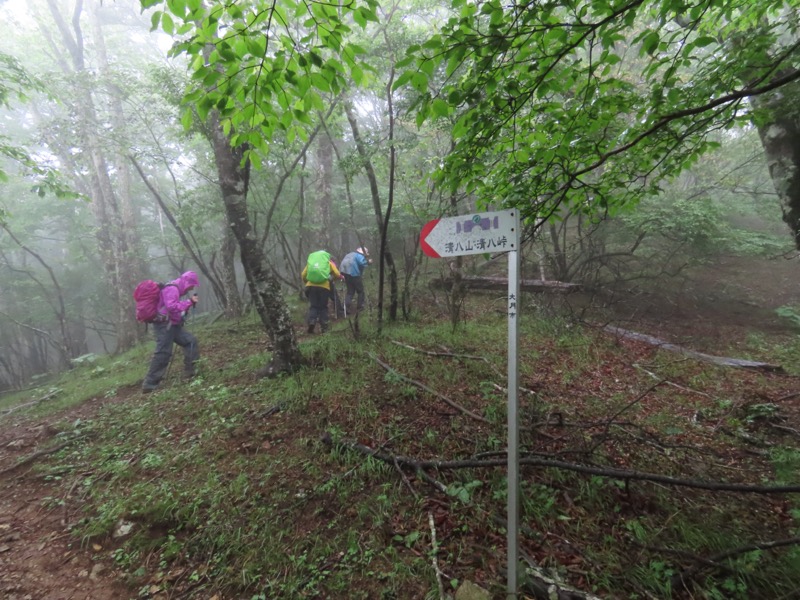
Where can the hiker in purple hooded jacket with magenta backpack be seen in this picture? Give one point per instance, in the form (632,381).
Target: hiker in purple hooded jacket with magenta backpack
(169,330)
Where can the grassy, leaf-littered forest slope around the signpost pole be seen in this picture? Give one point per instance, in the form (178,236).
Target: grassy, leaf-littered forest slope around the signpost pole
(262,488)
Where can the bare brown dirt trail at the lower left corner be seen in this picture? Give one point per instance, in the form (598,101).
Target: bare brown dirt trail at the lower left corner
(39,557)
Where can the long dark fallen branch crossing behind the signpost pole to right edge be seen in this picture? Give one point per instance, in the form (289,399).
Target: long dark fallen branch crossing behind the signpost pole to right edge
(609,472)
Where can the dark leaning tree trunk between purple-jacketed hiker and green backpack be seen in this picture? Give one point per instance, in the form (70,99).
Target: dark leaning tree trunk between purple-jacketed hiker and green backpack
(264,286)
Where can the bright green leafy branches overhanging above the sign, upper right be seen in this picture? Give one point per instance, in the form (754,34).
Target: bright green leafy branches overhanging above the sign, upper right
(592,104)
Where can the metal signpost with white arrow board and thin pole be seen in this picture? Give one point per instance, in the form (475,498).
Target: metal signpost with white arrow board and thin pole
(484,233)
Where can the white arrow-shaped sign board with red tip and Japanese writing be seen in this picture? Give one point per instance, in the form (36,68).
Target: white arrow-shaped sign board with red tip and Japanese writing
(481,233)
